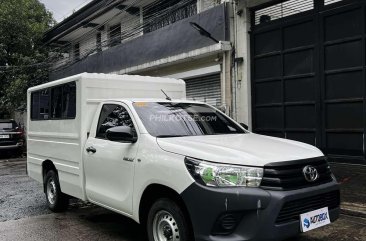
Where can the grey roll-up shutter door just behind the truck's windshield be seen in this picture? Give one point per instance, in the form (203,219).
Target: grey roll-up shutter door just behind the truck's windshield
(205,89)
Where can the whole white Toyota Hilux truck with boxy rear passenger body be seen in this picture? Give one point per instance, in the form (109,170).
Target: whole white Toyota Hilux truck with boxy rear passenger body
(182,169)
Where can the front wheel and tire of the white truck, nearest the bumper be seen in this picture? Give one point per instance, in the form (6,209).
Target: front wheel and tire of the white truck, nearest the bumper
(166,221)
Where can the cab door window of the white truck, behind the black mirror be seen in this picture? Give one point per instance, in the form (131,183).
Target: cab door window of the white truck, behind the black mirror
(111,116)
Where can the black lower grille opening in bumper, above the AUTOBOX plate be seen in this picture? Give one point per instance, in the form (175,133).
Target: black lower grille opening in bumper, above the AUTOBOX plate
(291,210)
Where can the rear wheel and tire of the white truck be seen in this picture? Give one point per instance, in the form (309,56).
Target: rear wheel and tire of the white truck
(56,200)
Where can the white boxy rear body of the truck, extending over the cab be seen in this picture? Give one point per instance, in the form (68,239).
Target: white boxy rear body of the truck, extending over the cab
(62,139)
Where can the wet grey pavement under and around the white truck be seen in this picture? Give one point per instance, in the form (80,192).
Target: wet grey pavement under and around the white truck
(24,216)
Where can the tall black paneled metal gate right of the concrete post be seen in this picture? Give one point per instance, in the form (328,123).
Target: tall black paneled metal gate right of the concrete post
(308,74)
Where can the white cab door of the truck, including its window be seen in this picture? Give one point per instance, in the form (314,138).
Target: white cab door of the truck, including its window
(109,165)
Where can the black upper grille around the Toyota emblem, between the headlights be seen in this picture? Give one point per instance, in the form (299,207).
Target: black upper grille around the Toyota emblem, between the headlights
(289,175)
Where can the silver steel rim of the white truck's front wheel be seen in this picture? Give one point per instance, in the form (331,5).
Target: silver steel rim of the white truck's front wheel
(165,227)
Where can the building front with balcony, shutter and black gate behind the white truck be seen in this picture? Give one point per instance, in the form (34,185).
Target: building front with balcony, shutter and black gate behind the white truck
(293,69)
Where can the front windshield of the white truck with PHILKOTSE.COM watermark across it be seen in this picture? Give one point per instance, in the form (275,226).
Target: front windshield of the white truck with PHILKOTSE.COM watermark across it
(184,119)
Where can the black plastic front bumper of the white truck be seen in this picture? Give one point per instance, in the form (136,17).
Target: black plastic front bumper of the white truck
(258,210)
